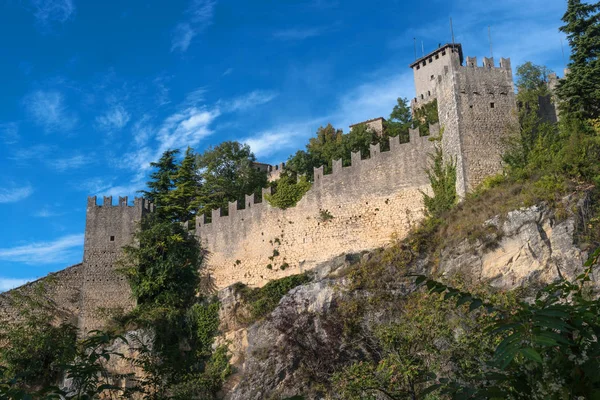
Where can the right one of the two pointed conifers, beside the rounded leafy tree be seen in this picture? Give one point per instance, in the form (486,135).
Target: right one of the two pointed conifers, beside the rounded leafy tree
(183,200)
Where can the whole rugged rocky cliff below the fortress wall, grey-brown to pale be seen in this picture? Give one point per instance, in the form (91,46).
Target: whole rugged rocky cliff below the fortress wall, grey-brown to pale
(305,339)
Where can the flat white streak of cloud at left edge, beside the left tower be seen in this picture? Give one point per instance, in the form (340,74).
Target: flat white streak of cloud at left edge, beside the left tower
(60,250)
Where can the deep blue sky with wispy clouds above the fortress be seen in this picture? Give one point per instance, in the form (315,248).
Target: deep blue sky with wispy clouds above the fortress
(92,91)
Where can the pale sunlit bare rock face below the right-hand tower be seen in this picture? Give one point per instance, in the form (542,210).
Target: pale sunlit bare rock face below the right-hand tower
(534,246)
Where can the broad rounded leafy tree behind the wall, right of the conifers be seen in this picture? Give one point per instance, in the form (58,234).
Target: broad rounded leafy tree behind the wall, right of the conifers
(227,173)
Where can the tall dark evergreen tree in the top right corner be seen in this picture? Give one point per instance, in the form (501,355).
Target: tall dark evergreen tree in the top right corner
(579,91)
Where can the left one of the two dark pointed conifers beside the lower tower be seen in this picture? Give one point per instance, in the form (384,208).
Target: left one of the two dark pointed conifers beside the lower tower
(161,180)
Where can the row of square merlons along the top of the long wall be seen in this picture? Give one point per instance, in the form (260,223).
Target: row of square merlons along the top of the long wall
(397,153)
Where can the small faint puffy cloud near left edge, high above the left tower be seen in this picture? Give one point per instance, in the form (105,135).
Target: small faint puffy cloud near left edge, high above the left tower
(48,109)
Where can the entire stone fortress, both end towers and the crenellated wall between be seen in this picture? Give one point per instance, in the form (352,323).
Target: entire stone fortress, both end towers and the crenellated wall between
(355,208)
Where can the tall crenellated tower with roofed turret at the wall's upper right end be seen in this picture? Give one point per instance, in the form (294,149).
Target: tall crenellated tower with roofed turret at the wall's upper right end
(476,106)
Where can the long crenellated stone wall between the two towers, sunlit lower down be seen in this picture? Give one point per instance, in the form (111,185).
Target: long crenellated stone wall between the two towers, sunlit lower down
(355,208)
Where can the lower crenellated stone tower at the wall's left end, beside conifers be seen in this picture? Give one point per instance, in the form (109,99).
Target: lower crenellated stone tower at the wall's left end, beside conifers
(108,228)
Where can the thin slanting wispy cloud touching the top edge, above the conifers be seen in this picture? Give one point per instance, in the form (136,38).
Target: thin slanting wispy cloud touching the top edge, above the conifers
(199,16)
